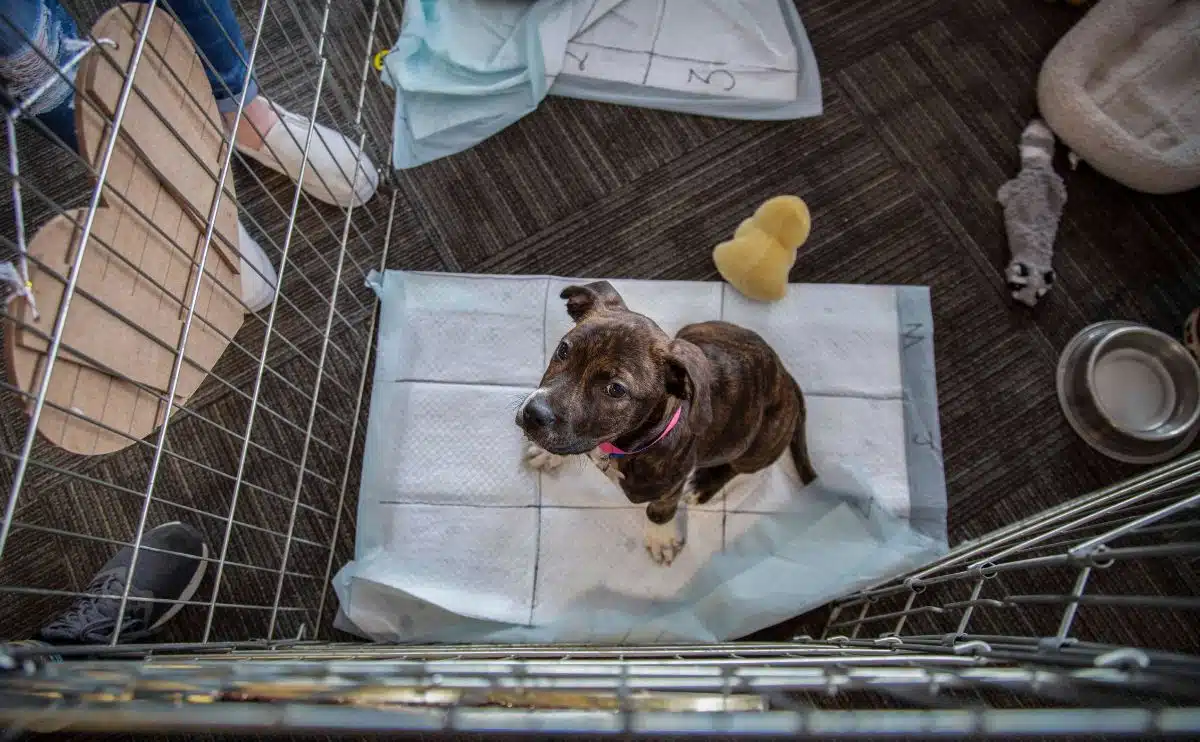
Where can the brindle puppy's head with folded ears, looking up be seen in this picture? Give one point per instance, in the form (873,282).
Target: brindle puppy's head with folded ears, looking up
(611,375)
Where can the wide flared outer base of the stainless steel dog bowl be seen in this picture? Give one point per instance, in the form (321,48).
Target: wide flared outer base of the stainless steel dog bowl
(1081,408)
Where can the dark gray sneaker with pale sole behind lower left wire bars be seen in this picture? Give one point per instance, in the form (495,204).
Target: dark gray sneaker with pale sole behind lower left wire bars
(165,577)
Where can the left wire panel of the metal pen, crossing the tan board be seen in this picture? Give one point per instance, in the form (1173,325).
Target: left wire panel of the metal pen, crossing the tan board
(261,458)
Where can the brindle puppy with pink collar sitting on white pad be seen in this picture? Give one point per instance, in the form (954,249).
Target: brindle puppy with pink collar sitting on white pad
(617,378)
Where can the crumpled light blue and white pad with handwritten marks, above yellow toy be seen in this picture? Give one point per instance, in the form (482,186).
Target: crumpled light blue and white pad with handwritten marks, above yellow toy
(464,70)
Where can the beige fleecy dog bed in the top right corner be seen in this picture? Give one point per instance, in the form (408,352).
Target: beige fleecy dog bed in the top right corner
(1123,89)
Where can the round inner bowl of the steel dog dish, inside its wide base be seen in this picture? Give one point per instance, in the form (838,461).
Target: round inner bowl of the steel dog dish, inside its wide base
(1144,384)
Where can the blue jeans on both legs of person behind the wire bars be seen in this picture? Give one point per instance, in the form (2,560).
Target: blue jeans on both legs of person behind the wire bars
(38,37)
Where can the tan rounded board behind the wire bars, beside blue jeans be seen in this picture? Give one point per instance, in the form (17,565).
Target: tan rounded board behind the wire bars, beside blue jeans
(141,265)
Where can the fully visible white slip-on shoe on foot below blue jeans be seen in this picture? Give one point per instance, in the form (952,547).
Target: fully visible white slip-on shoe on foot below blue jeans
(333,160)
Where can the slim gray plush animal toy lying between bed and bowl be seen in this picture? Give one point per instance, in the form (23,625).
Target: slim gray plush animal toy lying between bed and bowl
(1033,206)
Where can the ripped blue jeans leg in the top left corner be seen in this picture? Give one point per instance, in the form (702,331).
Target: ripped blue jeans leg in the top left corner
(37,39)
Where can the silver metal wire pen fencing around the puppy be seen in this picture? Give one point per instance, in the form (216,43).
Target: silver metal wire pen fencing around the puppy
(1023,631)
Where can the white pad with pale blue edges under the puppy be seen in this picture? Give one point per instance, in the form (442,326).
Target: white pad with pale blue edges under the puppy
(459,541)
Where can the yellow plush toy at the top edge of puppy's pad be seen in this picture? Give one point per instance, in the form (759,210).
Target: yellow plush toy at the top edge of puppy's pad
(764,249)
